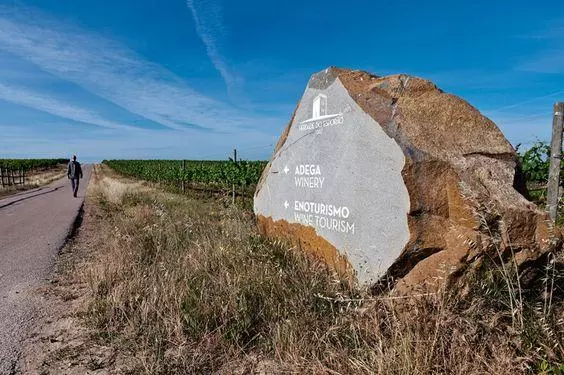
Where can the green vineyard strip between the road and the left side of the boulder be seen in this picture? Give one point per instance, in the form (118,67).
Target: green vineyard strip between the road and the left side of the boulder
(215,174)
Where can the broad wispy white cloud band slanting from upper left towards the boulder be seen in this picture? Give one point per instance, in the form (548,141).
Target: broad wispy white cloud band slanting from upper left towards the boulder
(114,72)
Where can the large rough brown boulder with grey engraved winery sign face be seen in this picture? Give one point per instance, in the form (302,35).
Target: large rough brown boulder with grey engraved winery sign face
(391,177)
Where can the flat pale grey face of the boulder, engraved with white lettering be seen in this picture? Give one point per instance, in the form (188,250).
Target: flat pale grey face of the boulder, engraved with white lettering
(339,173)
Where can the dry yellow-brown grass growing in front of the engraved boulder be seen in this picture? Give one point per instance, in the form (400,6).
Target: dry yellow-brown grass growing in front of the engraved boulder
(182,286)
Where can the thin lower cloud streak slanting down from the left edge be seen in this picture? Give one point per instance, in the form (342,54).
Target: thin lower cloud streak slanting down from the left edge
(21,96)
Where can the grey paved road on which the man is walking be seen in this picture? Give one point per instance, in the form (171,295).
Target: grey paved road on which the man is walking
(34,225)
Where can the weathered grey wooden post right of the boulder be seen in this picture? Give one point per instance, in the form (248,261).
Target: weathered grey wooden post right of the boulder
(555,158)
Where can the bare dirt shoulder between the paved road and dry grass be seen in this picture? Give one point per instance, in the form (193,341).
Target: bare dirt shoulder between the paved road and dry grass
(63,343)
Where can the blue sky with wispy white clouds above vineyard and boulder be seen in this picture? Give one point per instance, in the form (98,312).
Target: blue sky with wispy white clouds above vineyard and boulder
(194,79)
